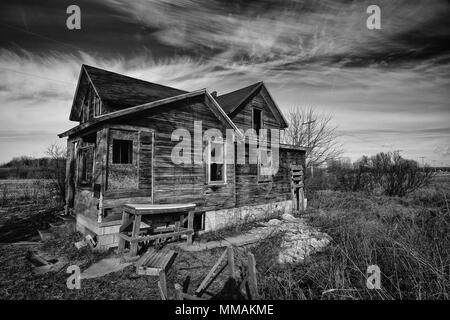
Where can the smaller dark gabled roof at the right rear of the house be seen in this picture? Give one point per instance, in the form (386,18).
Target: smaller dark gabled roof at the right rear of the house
(232,101)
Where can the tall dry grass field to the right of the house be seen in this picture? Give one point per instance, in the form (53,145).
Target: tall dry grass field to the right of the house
(408,238)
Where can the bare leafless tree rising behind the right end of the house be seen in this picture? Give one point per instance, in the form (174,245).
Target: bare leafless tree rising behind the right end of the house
(309,128)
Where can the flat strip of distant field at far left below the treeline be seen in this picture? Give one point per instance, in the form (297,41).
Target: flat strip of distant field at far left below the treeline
(25,189)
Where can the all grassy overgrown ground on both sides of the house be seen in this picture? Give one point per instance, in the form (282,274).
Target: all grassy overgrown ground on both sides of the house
(408,238)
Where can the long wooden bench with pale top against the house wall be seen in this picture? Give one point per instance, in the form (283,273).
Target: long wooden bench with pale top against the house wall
(132,215)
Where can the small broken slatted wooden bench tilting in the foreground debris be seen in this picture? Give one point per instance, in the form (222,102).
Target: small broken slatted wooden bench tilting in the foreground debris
(156,263)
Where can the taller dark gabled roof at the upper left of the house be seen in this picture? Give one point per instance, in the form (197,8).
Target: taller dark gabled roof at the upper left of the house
(121,91)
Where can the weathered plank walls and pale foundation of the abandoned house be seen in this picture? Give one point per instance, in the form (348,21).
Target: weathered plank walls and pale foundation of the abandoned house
(240,199)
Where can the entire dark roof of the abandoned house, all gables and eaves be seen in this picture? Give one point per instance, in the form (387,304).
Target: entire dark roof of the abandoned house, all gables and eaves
(128,95)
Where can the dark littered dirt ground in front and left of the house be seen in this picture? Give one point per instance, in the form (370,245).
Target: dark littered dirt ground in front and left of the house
(19,223)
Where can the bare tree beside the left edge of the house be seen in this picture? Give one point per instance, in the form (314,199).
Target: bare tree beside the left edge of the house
(57,169)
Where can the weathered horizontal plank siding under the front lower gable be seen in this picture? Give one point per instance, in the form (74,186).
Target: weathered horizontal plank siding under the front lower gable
(183,182)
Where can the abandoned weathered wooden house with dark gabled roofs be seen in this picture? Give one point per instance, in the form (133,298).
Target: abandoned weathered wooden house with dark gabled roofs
(120,154)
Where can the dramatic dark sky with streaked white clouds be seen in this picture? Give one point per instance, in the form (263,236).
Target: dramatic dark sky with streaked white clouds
(387,89)
